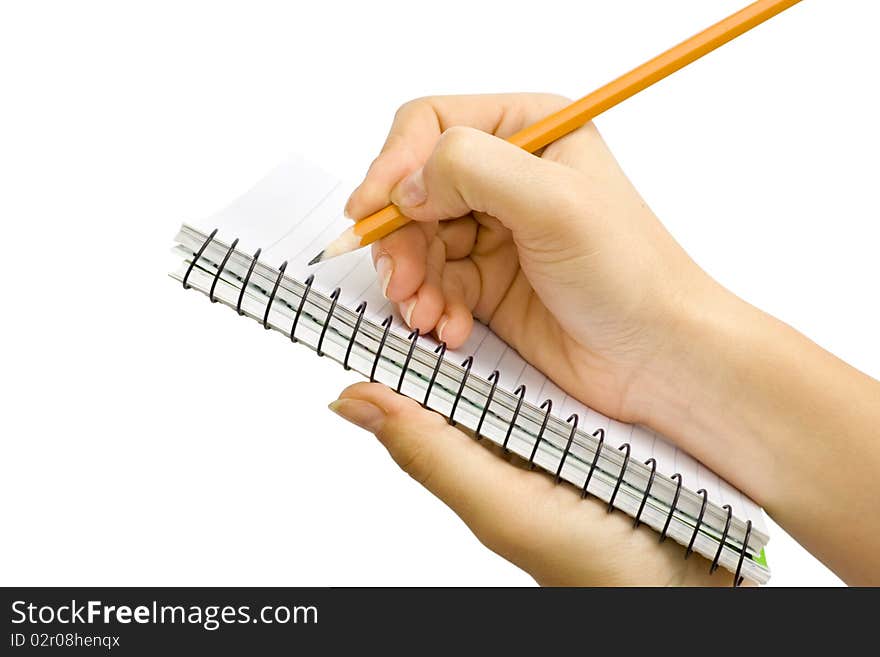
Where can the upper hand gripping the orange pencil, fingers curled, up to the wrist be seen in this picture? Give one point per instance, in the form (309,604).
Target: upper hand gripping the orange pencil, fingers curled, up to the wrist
(558,254)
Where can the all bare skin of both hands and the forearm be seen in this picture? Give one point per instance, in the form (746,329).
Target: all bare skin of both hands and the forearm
(559,250)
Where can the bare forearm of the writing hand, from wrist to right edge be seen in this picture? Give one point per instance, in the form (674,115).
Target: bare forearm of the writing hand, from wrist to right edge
(790,424)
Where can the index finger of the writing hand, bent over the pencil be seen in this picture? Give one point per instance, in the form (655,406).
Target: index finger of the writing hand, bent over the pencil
(418,125)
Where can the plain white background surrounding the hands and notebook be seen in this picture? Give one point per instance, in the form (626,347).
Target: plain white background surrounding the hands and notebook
(149,437)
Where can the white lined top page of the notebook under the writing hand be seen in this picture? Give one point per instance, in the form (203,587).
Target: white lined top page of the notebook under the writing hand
(297,209)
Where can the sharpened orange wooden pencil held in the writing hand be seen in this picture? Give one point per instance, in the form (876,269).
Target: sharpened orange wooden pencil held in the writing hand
(549,129)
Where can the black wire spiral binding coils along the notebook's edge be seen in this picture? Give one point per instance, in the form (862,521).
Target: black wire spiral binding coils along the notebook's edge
(494,378)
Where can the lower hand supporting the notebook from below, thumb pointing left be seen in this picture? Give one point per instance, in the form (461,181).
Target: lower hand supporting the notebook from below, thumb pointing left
(545,529)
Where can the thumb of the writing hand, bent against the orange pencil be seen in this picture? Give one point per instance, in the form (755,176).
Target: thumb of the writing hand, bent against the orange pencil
(470,170)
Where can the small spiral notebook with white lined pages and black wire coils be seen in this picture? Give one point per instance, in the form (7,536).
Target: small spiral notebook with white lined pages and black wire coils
(252,258)
